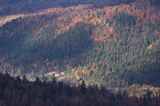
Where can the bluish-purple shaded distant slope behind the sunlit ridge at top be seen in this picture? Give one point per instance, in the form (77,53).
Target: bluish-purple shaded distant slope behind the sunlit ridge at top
(30,6)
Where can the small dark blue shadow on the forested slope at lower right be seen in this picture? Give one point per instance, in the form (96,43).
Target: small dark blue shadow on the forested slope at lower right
(148,74)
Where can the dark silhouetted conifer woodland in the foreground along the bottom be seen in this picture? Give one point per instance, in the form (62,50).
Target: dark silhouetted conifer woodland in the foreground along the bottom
(17,92)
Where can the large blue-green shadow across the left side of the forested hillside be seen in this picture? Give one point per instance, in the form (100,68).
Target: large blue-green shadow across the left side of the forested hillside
(26,45)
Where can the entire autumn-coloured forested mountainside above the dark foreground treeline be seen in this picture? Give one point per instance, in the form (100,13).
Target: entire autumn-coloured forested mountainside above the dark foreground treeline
(116,45)
